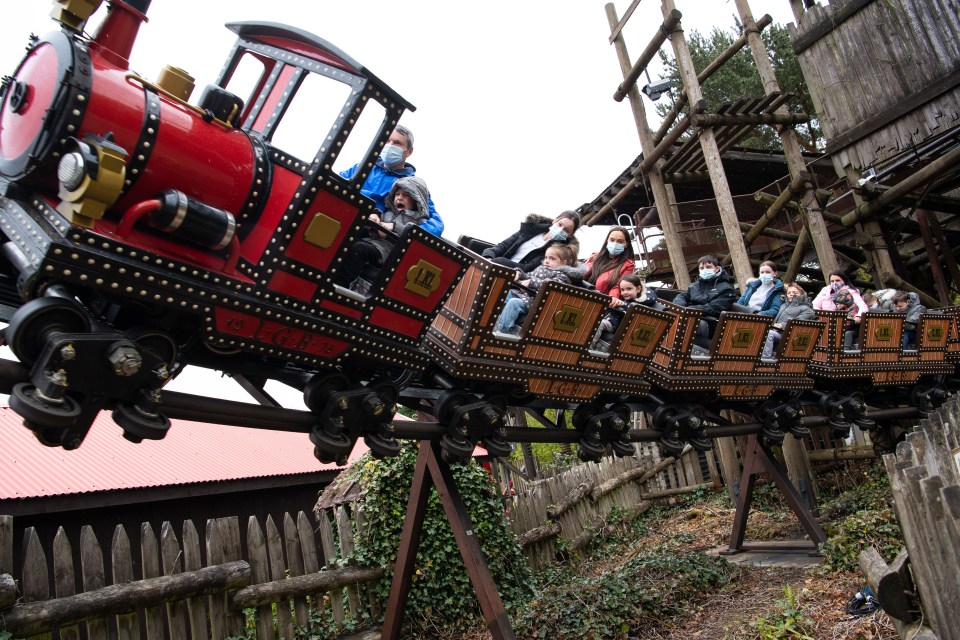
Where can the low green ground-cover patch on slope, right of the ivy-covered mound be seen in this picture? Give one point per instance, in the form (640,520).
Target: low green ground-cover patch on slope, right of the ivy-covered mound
(658,584)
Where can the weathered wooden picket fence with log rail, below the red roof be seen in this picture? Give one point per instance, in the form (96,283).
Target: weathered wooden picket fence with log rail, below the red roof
(184,589)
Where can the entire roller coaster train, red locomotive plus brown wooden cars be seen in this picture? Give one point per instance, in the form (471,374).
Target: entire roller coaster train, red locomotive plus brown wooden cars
(141,232)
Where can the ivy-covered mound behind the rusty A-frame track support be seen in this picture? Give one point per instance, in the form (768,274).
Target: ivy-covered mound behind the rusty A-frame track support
(440,590)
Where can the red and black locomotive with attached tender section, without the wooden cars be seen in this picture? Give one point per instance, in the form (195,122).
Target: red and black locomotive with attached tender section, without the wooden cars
(143,232)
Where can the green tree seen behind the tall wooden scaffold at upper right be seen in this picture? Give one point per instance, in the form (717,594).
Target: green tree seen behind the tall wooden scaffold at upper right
(738,78)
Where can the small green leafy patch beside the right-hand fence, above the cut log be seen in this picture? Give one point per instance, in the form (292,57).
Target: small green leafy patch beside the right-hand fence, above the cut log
(854,533)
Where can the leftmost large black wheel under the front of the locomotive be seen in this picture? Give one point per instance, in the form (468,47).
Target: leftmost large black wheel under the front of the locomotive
(33,322)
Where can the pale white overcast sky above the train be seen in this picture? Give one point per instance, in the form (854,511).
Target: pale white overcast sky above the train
(514,115)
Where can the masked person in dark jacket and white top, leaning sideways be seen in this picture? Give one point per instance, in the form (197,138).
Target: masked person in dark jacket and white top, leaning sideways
(525,249)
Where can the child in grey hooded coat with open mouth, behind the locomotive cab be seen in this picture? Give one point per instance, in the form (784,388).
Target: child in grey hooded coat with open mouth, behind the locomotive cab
(406,204)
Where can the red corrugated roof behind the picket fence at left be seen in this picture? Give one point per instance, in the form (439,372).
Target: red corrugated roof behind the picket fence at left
(191,452)
